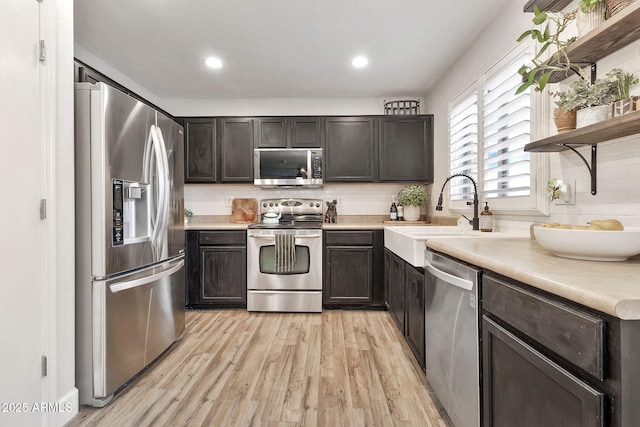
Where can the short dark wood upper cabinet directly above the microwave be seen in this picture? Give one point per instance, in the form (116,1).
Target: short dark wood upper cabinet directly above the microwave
(288,132)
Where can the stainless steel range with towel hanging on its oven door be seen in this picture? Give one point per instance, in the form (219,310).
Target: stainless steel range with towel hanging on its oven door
(284,257)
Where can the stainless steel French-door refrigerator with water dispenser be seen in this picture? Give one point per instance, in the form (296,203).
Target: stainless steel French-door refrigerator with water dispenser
(130,295)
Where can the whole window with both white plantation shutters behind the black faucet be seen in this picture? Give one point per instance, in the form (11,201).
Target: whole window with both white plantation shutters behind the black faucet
(489,125)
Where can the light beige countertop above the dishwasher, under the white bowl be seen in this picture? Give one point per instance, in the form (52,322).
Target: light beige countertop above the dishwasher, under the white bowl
(610,287)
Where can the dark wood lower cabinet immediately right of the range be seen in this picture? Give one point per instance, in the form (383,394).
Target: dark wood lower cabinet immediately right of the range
(353,275)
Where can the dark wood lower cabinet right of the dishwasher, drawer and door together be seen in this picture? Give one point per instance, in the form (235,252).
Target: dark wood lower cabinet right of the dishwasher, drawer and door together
(547,361)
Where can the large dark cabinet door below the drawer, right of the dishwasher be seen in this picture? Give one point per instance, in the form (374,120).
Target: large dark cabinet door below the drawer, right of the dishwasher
(524,388)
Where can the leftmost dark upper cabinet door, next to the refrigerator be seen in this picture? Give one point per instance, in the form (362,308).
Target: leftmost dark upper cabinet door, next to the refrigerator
(200,150)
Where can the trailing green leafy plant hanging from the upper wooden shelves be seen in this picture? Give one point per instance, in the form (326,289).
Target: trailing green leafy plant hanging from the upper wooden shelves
(547,31)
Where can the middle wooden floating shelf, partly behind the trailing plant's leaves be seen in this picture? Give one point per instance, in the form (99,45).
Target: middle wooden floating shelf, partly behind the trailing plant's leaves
(615,33)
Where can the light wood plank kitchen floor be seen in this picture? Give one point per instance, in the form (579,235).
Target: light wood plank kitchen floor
(234,368)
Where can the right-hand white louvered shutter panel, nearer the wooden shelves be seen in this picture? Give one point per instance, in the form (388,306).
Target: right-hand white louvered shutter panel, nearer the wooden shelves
(506,130)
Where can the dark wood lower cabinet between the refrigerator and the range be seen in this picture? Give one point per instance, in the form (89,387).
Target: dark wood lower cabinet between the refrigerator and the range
(216,269)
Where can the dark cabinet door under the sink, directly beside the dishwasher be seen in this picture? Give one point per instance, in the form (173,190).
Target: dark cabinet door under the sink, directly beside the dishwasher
(414,304)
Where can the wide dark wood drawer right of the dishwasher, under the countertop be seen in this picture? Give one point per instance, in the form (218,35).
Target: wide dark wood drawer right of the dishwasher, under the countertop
(574,335)
